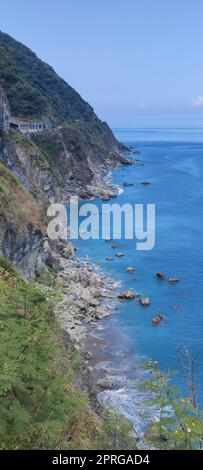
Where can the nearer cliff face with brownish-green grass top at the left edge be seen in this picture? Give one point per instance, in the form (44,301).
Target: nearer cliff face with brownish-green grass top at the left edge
(22,226)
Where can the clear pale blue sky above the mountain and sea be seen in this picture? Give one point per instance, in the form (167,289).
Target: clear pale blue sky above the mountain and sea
(130,59)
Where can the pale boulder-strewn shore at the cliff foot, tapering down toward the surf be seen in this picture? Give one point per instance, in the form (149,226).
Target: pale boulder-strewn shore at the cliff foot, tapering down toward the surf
(88,296)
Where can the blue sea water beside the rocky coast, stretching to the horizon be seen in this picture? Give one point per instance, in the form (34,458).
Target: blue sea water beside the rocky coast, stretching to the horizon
(172,159)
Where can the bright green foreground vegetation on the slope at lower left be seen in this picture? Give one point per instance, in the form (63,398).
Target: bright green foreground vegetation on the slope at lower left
(41,406)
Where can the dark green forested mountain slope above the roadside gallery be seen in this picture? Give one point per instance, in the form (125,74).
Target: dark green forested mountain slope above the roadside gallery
(33,87)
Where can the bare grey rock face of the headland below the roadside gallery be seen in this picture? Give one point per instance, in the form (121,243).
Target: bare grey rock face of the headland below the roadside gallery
(65,172)
